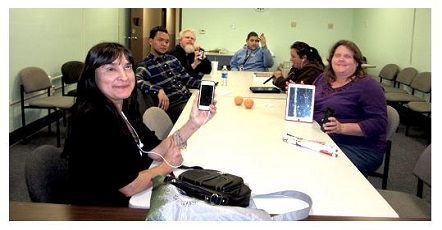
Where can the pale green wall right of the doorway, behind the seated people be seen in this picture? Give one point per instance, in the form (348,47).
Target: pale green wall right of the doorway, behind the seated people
(400,35)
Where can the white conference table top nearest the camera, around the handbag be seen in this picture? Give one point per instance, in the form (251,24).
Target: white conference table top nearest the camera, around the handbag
(248,143)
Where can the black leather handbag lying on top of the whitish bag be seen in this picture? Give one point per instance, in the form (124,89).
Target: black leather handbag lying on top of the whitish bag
(213,186)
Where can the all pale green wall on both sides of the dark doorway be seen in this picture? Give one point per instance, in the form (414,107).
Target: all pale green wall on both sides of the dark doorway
(49,37)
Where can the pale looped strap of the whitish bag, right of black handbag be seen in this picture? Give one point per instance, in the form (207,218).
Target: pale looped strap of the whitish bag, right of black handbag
(293,215)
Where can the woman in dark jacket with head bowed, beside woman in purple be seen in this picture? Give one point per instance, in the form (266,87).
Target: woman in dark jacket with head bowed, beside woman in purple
(307,66)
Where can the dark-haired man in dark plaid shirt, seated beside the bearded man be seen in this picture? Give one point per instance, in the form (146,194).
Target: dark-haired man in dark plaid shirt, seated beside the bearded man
(163,77)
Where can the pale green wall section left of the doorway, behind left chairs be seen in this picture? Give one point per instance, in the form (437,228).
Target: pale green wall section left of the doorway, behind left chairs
(49,37)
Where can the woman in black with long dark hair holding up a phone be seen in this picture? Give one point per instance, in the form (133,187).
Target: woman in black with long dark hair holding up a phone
(109,149)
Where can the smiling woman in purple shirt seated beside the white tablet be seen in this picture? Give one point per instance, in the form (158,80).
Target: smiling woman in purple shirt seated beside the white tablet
(359,123)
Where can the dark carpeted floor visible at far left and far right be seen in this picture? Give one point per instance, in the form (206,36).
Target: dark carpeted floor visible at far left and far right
(405,152)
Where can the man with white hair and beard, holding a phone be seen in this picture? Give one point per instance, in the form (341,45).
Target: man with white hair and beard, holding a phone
(187,52)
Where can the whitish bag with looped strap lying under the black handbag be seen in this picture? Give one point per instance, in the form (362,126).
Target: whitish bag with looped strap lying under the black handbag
(168,203)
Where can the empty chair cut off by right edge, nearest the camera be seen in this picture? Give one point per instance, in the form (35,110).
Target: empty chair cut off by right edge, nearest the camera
(409,205)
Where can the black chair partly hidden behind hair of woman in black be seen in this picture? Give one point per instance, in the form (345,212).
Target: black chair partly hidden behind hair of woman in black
(71,72)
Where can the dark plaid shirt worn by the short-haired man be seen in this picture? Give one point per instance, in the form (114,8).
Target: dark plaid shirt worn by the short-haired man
(167,73)
